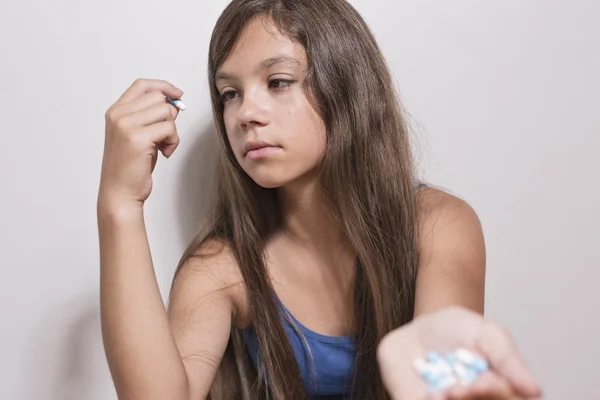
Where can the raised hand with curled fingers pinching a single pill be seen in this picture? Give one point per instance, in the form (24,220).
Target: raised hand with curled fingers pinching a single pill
(137,126)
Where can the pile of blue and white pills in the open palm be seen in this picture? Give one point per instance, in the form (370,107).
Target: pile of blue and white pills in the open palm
(442,371)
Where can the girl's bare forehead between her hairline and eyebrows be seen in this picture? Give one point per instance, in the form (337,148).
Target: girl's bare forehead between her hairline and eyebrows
(261,41)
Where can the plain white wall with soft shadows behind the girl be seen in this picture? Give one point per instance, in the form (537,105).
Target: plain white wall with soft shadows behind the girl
(504,97)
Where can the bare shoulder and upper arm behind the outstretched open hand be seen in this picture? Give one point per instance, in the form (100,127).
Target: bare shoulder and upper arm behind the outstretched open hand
(451,253)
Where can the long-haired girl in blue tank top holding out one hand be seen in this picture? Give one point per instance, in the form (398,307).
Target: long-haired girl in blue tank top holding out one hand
(325,267)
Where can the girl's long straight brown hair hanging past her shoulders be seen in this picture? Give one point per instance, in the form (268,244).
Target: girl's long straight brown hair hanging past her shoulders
(367,177)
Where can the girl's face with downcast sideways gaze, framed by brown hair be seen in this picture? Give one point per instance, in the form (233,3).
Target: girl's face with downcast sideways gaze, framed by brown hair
(275,133)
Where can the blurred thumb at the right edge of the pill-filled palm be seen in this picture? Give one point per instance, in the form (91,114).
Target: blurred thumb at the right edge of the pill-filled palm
(496,345)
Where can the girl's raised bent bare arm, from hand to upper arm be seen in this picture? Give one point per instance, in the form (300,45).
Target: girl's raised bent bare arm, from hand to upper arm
(142,341)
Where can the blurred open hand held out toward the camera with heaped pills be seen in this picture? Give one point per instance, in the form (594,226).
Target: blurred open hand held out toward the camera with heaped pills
(454,354)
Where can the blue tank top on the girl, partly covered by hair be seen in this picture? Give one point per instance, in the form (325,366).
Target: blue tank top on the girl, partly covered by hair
(328,373)
